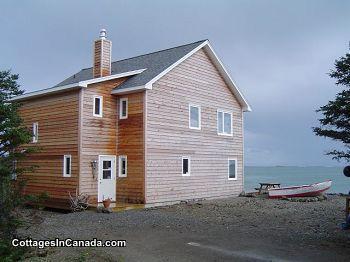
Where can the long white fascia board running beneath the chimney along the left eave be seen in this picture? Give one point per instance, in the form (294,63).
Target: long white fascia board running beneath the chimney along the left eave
(75,85)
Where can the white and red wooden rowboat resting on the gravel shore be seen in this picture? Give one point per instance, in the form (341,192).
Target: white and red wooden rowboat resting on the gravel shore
(311,190)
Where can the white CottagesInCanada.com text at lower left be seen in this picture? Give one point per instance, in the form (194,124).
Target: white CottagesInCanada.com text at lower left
(68,242)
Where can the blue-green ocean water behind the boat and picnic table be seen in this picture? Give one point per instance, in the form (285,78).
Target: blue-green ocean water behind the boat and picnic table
(293,176)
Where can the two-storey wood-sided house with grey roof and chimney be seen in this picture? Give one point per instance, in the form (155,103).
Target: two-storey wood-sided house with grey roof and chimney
(152,129)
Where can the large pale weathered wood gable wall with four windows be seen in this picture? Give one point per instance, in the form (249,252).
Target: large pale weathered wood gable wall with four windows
(168,136)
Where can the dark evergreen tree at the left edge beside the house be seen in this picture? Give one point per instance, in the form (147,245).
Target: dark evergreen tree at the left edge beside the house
(13,138)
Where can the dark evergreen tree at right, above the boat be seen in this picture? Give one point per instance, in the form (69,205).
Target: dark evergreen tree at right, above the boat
(335,123)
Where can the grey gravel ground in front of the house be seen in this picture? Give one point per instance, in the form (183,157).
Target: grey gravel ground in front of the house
(239,229)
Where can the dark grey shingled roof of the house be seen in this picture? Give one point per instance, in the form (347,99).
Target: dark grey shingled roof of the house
(154,63)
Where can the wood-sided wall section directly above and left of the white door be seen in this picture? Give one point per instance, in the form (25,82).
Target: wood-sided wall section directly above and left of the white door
(98,134)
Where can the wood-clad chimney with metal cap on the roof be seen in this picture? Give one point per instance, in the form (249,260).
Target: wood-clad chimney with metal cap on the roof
(102,56)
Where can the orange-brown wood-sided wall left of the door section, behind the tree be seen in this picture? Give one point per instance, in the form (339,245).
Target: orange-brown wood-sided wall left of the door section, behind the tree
(57,116)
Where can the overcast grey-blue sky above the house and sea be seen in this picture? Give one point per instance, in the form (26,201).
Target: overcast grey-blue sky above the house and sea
(278,52)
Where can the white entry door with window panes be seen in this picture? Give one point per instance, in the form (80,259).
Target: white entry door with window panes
(106,178)
